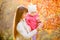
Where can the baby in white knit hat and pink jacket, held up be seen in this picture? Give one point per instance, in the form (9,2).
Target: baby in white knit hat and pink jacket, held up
(32,17)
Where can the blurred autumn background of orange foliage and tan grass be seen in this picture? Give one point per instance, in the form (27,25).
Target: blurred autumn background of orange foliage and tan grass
(49,11)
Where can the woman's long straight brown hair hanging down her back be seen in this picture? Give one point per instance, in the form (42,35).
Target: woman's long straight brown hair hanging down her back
(19,13)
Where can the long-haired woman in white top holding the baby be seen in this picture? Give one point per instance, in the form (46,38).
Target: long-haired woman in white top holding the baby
(21,30)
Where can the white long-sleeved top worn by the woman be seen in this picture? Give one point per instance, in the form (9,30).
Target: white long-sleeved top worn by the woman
(25,30)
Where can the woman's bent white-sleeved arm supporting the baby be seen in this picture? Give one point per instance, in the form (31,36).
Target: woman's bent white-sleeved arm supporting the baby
(24,33)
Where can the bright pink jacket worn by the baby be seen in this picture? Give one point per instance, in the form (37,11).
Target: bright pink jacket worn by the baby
(32,21)
